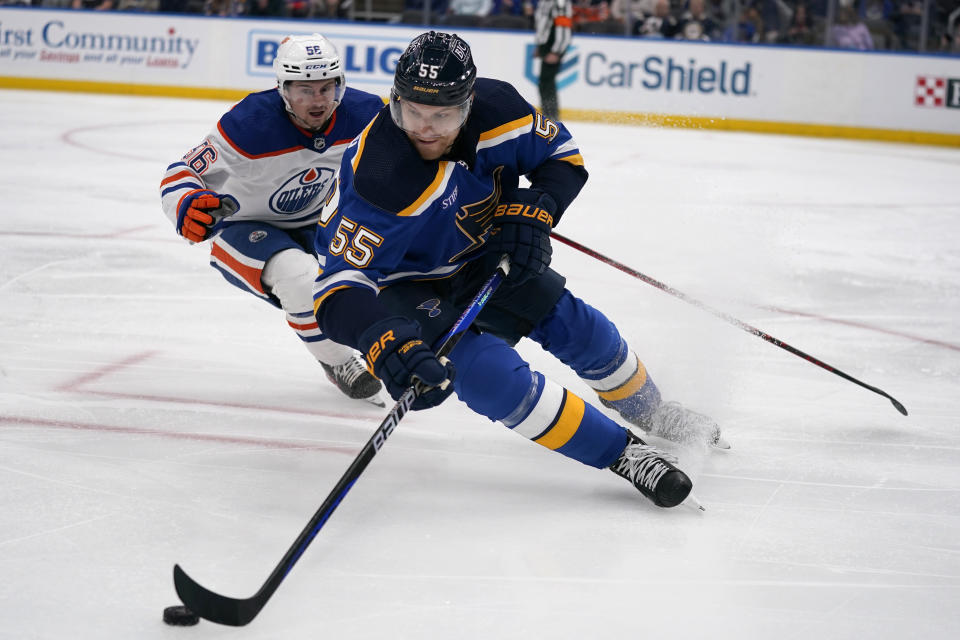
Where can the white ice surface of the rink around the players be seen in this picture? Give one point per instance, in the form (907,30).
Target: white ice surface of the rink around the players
(151,414)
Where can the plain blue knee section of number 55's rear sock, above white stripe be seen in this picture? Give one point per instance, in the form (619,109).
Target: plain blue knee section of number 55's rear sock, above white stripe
(578,335)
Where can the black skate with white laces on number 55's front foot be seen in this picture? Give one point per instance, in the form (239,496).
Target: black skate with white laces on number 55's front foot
(652,472)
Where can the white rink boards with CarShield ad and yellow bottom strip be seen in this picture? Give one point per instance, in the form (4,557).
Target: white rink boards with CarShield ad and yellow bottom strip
(760,88)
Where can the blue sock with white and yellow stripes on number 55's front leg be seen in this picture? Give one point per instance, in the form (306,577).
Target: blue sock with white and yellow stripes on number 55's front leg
(493,380)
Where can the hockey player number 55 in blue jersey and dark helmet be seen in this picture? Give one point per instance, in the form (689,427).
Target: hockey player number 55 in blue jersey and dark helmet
(429,198)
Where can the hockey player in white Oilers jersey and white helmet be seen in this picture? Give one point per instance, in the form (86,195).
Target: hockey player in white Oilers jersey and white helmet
(256,185)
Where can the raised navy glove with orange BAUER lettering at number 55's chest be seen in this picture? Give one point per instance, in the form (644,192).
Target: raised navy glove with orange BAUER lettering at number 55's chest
(521,229)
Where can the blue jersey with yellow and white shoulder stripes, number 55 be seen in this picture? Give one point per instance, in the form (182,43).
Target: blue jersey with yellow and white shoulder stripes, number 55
(395,216)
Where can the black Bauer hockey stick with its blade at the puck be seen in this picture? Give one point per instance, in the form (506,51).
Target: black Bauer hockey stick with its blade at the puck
(238,612)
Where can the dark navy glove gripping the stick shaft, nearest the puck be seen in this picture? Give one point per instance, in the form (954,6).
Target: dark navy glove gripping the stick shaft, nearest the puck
(396,354)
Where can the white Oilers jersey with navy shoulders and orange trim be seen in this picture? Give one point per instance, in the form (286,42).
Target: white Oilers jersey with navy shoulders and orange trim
(277,172)
